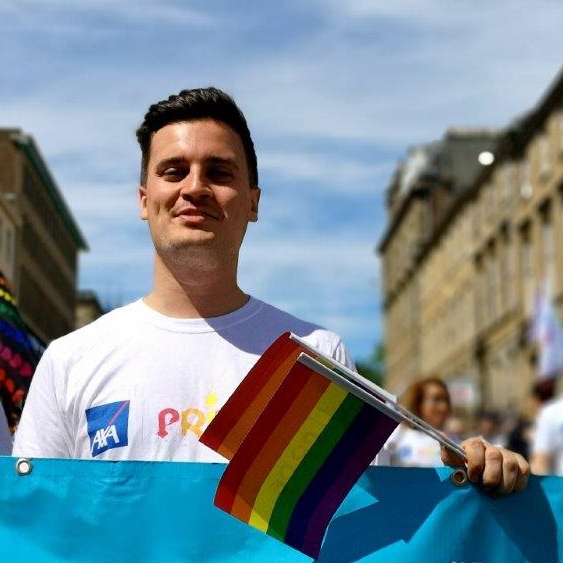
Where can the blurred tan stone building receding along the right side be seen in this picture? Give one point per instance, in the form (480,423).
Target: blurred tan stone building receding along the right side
(465,252)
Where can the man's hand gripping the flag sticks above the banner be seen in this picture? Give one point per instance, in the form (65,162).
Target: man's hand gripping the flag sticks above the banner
(494,469)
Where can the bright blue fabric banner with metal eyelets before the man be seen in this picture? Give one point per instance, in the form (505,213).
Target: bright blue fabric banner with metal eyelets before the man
(72,510)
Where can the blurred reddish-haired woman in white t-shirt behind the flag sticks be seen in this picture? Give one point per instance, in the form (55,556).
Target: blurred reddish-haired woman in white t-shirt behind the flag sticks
(429,399)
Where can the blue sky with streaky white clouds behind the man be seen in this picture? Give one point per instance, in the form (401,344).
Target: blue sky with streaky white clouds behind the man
(335,93)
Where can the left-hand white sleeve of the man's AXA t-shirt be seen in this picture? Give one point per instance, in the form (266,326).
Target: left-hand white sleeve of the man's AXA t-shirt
(42,431)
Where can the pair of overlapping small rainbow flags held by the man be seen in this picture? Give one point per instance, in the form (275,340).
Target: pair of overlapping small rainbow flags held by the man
(300,443)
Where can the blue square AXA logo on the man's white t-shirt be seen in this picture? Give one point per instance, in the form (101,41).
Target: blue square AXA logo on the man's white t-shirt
(107,426)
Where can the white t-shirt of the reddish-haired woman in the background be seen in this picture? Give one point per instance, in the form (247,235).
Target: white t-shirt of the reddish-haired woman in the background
(408,447)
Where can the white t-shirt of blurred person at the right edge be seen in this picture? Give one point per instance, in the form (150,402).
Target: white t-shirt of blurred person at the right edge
(548,435)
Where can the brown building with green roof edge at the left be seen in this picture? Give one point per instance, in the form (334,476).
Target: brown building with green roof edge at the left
(39,238)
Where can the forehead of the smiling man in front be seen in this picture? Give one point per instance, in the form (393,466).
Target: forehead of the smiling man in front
(197,139)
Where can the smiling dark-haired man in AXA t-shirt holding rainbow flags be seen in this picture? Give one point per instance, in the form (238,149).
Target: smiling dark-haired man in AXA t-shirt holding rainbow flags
(143,381)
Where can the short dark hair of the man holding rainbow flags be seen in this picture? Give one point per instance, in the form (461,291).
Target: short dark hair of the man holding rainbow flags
(190,105)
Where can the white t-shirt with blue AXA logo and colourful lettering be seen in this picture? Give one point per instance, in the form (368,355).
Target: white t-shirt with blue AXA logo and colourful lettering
(136,384)
